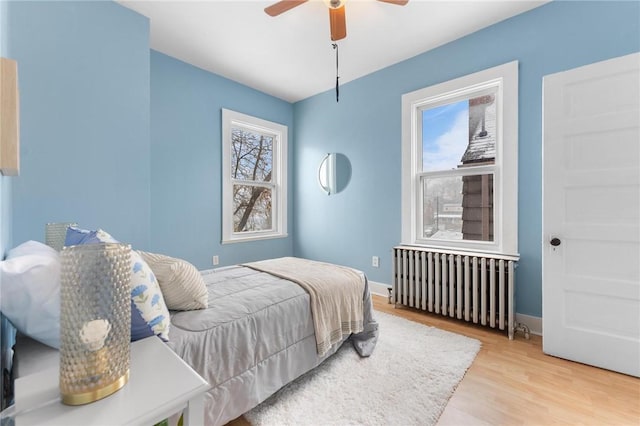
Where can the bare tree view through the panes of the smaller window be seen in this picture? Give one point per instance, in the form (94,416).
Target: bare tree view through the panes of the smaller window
(251,174)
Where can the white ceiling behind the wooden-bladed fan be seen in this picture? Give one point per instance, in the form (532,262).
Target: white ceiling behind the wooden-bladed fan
(290,56)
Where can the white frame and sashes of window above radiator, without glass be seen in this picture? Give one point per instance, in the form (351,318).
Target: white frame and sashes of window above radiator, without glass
(505,170)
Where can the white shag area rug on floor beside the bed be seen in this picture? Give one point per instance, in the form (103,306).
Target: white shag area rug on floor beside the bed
(408,380)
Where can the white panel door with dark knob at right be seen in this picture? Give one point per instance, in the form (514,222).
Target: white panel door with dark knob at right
(591,215)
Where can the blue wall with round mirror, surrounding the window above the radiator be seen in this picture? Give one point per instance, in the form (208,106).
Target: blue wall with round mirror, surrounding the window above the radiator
(364,220)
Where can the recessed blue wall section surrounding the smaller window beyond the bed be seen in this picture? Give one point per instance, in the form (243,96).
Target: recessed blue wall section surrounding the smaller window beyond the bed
(186,154)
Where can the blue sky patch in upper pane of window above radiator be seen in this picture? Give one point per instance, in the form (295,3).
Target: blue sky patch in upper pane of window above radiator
(445,134)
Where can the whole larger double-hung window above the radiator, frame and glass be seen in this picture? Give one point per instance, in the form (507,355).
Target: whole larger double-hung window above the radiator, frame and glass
(459,163)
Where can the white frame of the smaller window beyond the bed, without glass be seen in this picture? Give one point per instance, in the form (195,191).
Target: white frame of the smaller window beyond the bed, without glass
(232,119)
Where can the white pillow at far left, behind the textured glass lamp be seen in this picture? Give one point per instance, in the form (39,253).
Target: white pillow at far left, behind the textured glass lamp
(30,291)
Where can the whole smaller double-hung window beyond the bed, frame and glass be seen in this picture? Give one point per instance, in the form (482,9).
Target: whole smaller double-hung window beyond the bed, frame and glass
(254,165)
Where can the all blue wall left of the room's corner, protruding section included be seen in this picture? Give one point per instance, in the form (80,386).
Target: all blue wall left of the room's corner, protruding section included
(90,152)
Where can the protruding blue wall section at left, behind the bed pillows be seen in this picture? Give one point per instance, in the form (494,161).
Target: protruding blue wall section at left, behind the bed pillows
(84,91)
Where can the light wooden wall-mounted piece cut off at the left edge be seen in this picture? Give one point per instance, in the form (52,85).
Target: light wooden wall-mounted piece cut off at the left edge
(9,118)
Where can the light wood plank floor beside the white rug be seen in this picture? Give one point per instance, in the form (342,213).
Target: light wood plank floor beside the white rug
(514,383)
